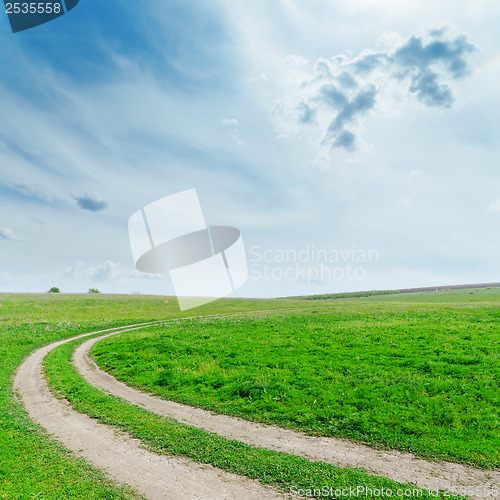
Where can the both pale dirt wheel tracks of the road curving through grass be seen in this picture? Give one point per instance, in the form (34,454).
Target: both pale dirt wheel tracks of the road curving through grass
(156,476)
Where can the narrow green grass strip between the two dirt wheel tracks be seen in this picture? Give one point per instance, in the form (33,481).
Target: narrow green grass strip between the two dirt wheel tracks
(167,436)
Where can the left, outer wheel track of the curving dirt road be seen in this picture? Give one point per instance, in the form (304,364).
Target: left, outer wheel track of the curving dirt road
(123,459)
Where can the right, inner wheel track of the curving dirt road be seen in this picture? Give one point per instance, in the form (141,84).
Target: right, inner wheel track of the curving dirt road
(402,467)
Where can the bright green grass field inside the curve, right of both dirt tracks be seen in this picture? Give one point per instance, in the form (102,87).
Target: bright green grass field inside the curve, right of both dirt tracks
(418,373)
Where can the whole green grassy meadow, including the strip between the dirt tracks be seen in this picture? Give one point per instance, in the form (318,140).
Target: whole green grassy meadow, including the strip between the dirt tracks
(415,372)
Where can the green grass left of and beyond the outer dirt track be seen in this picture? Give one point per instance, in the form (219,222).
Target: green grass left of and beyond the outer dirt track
(31,464)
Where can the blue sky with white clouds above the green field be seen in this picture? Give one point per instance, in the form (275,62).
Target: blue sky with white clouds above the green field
(360,130)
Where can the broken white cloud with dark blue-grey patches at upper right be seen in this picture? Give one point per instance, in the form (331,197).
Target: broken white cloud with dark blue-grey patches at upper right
(341,90)
